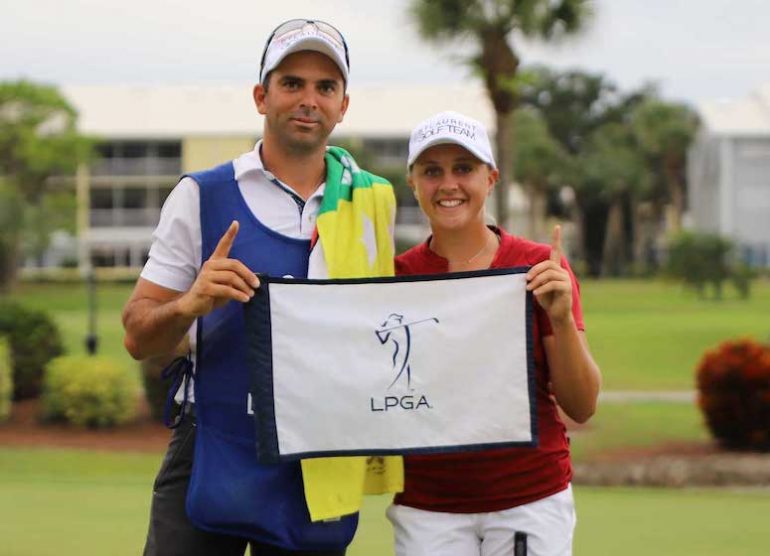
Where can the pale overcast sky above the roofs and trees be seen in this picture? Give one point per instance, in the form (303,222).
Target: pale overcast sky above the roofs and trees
(694,49)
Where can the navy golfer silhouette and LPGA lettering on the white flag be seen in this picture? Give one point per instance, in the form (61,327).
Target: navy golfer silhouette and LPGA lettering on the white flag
(398,334)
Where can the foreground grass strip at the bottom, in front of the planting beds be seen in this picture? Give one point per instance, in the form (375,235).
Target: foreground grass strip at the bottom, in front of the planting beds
(55,502)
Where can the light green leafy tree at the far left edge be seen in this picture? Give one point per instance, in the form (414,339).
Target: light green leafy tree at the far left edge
(38,139)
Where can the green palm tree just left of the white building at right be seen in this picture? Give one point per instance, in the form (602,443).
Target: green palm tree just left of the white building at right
(664,131)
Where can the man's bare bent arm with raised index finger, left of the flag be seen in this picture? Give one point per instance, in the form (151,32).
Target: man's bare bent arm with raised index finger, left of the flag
(156,319)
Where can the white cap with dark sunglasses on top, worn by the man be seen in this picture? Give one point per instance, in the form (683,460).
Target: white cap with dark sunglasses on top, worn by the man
(297,35)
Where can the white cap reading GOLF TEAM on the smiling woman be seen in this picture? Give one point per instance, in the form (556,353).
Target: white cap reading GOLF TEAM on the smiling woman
(451,128)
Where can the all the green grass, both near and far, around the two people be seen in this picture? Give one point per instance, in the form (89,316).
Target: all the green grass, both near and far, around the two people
(645,334)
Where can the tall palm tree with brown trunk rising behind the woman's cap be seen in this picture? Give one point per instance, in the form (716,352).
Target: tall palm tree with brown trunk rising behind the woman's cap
(491,25)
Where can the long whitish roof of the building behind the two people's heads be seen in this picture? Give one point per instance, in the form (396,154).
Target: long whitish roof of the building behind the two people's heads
(173,111)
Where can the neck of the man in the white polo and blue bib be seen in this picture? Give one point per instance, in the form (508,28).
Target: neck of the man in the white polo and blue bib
(303,172)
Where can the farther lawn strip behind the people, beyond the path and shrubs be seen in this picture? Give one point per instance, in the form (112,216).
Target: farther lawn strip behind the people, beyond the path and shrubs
(645,334)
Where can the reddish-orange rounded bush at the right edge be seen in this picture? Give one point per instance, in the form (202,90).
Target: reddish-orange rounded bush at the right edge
(734,394)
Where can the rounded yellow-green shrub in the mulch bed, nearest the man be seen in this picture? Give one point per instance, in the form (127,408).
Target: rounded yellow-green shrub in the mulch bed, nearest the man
(89,391)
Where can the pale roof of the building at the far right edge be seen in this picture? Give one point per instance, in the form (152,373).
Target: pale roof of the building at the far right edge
(746,116)
